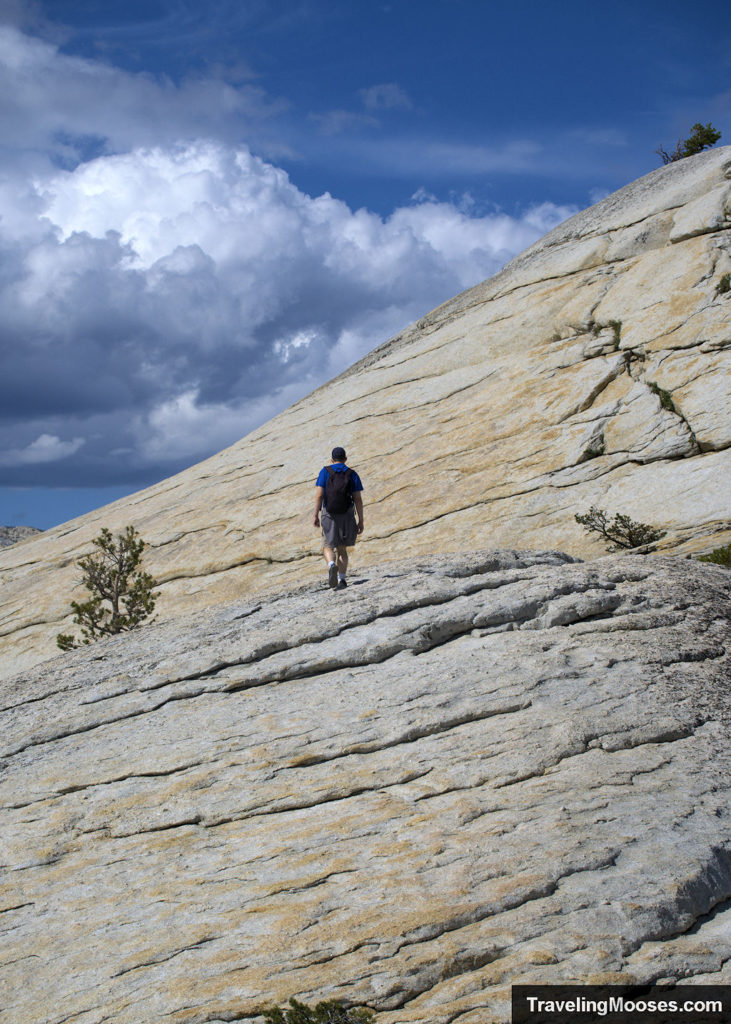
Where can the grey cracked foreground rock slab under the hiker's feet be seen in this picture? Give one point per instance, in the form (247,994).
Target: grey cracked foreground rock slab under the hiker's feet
(456,776)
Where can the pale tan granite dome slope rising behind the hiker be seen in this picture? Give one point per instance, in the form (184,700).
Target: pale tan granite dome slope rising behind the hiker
(593,370)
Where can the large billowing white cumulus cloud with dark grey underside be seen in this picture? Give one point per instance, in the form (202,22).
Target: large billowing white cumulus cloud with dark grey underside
(171,298)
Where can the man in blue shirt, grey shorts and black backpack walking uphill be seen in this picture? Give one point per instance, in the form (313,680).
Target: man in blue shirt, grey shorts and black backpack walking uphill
(338,496)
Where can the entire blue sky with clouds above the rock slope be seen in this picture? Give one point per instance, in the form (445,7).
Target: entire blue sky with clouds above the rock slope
(208,210)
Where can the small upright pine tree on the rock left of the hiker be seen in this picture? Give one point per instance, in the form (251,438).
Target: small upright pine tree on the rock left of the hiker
(120,598)
